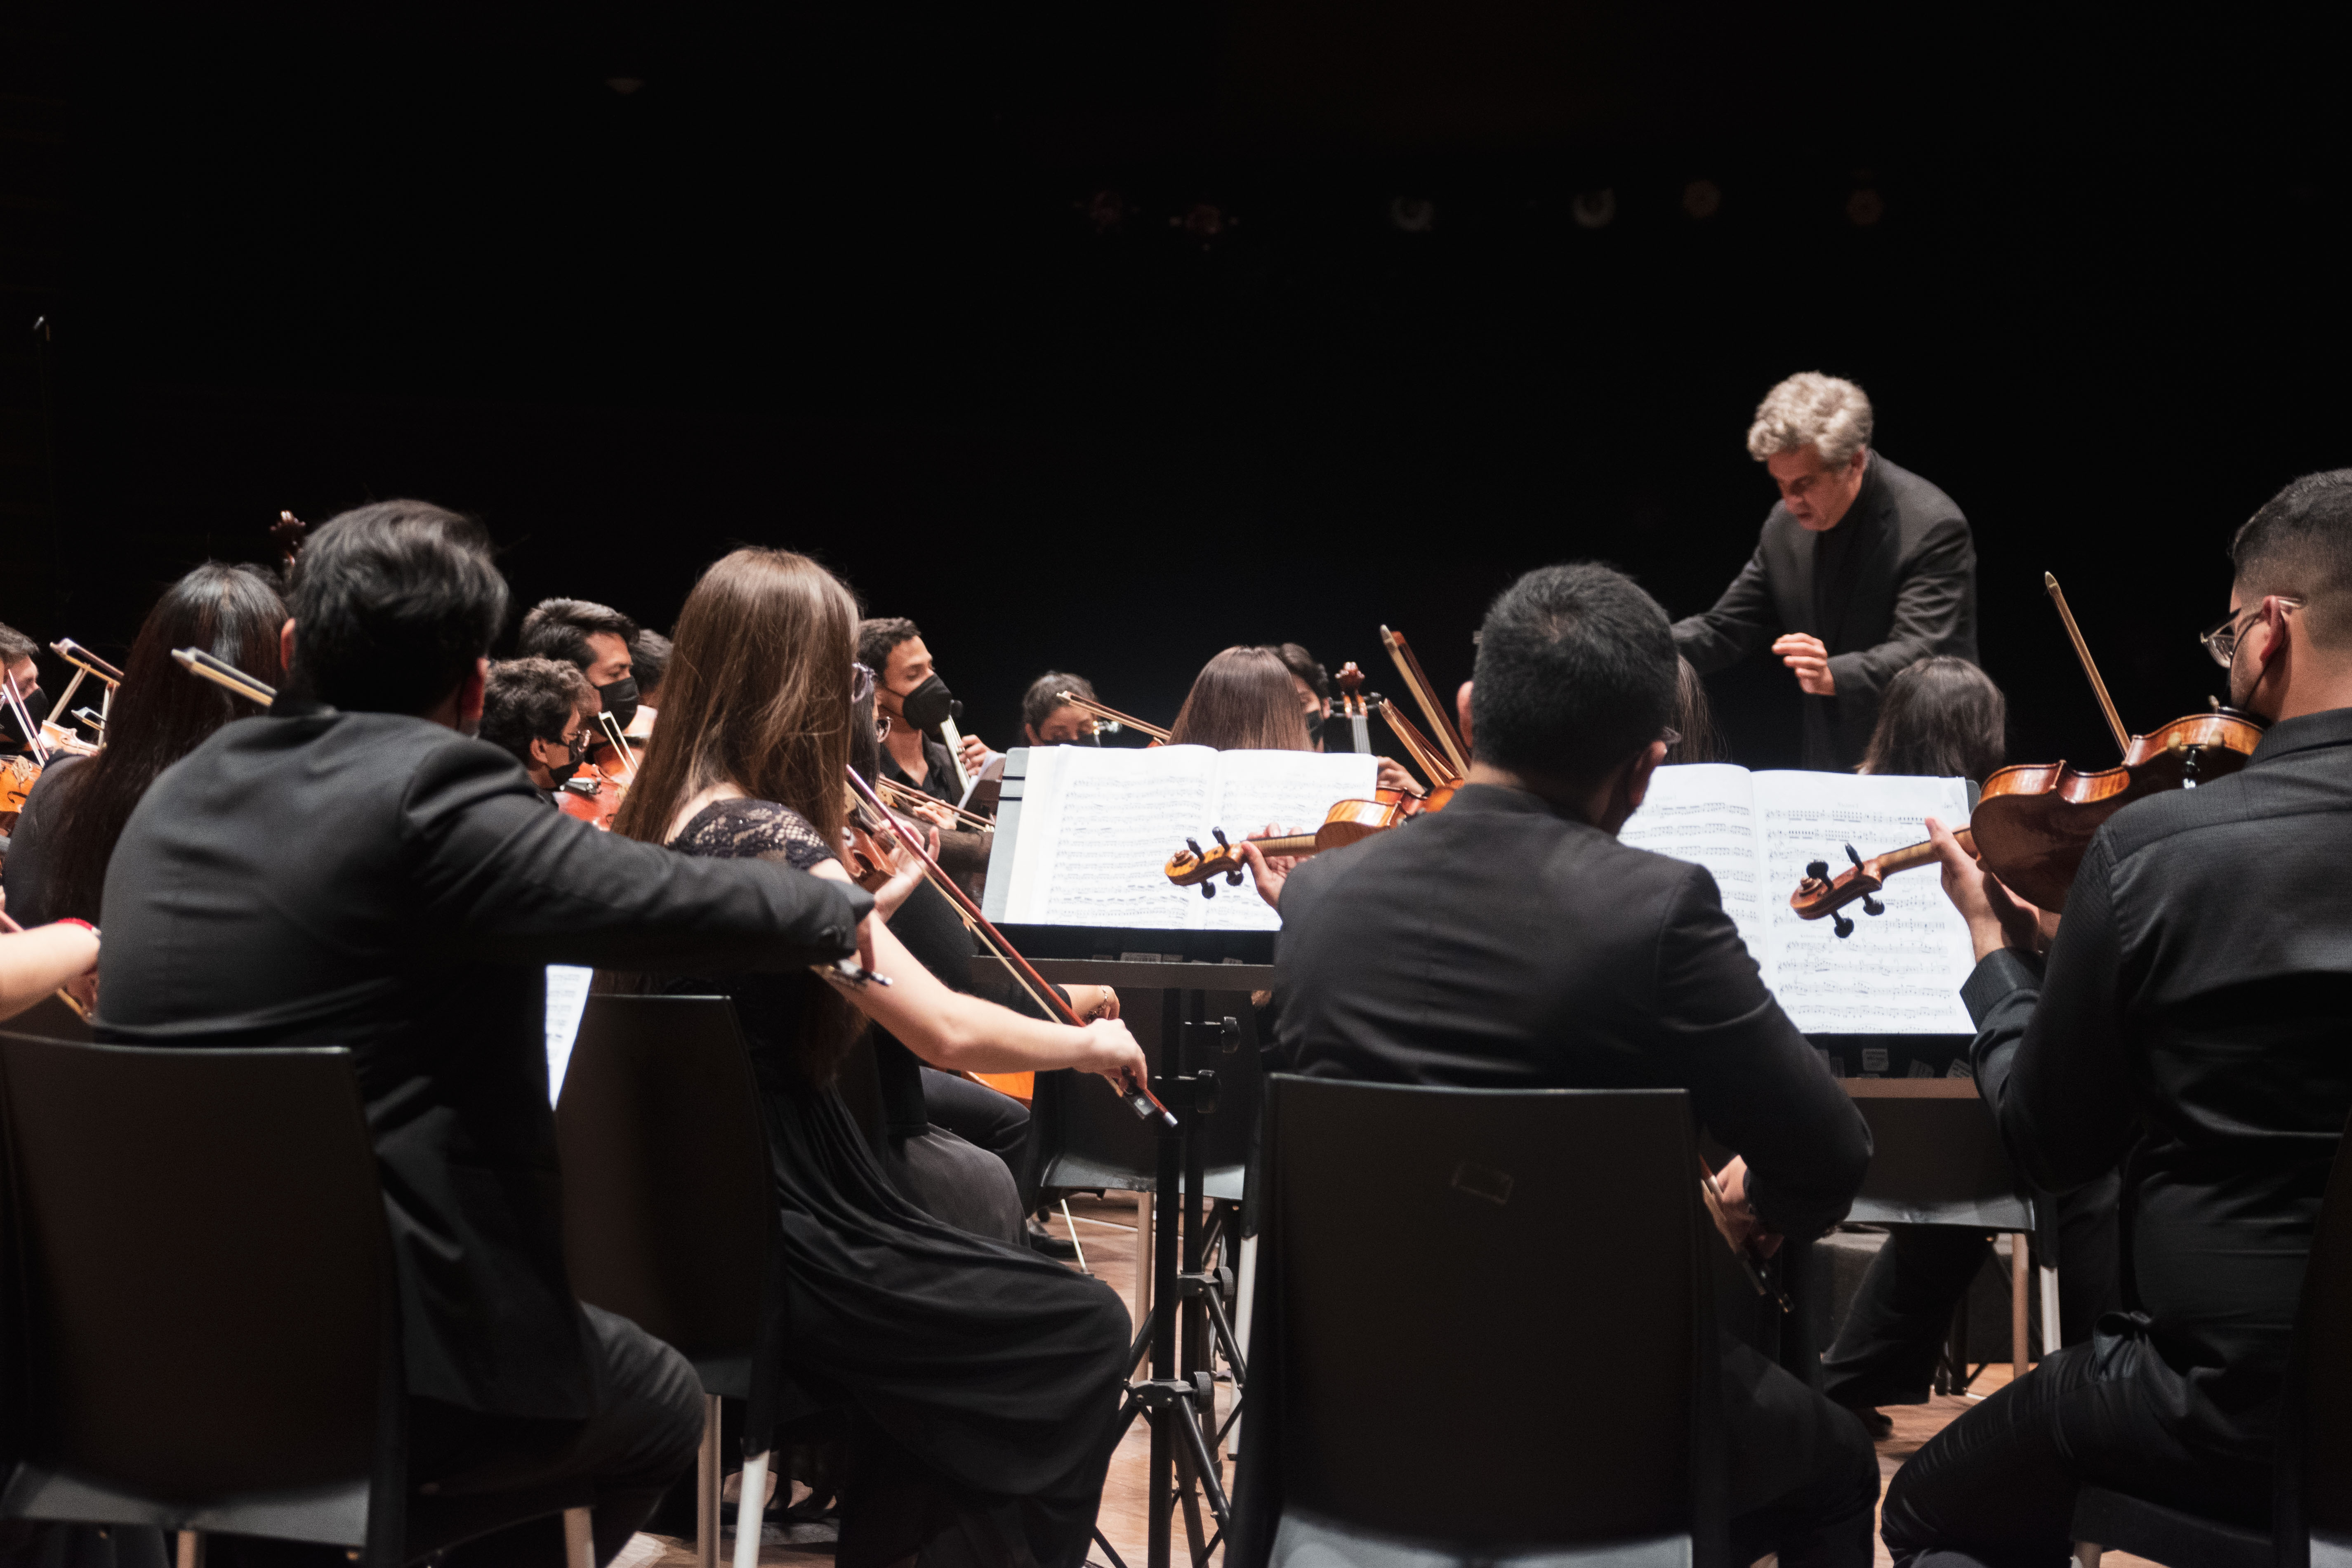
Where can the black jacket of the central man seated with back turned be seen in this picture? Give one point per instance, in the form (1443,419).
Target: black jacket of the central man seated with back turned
(1502,946)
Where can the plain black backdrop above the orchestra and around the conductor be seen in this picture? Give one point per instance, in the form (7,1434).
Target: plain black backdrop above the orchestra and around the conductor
(1090,337)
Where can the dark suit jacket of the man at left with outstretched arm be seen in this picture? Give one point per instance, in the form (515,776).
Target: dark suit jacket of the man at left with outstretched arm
(387,885)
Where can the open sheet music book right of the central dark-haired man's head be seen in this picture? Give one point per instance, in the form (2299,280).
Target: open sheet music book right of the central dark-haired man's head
(1899,972)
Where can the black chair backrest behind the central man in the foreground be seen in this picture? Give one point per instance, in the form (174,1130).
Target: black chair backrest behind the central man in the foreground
(1474,1238)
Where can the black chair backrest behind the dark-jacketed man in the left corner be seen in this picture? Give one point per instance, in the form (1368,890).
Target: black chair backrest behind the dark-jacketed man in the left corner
(208,1294)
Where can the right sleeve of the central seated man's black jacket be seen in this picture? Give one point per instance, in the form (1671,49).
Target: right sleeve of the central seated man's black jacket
(1753,1078)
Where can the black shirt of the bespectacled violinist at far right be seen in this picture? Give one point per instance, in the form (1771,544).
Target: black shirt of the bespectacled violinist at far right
(2193,1024)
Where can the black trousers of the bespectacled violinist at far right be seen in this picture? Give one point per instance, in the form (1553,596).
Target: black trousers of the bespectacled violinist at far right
(1998,1487)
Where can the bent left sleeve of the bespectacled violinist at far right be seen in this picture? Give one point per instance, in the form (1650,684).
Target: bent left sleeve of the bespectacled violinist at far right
(2050,1045)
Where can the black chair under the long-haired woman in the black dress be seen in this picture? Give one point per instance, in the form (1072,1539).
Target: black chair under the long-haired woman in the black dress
(671,1214)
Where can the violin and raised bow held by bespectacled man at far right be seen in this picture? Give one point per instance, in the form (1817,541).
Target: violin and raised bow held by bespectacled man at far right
(2033,822)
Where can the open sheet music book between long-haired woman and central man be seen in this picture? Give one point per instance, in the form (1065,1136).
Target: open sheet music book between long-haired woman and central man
(1095,829)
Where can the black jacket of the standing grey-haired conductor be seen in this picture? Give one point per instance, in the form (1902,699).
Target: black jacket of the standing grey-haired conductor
(1887,587)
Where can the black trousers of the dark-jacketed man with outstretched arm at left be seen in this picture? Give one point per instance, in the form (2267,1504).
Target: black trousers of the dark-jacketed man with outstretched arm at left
(474,1477)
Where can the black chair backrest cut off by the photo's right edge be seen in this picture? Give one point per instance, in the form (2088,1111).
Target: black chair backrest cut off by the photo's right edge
(2316,1473)
